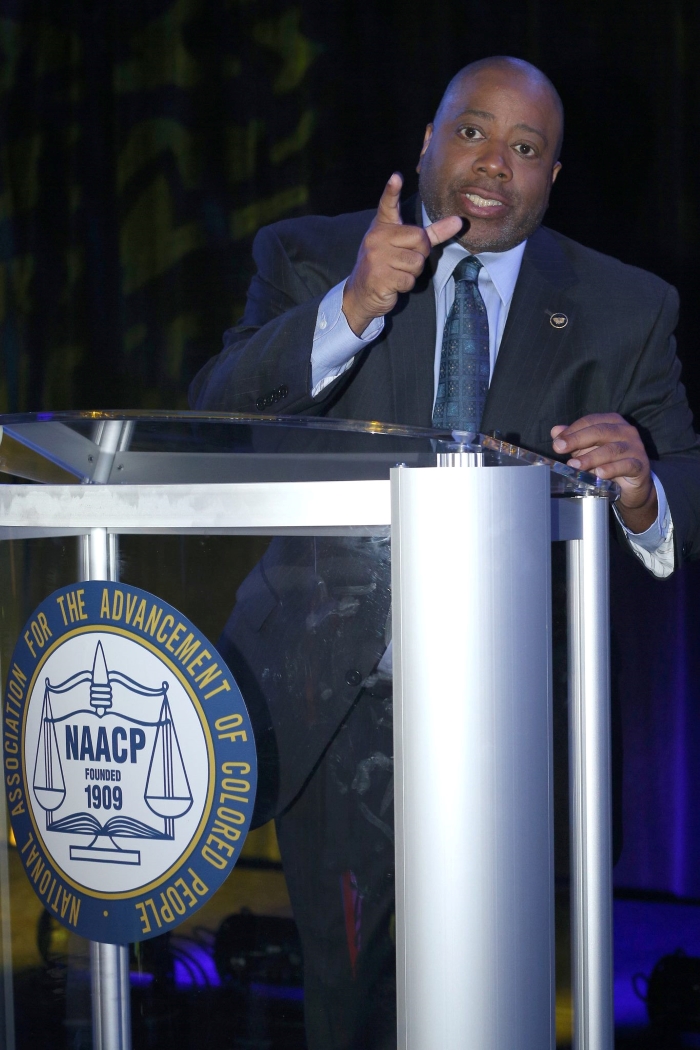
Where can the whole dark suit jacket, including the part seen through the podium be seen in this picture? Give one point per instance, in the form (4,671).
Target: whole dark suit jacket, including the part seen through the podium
(300,669)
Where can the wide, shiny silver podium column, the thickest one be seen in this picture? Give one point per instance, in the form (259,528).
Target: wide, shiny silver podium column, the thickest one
(472,604)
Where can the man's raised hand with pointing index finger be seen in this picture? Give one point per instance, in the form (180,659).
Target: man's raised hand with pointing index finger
(391,259)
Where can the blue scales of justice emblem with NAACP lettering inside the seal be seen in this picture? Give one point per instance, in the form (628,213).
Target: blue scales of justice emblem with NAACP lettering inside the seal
(109,743)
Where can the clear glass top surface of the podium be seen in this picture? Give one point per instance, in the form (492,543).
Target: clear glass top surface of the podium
(192,448)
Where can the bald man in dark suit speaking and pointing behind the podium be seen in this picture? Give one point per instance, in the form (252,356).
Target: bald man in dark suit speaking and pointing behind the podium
(404,316)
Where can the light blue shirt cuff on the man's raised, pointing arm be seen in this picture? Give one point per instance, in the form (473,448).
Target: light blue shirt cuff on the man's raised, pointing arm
(335,344)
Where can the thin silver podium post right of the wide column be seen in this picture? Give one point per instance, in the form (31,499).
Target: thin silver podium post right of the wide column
(590,781)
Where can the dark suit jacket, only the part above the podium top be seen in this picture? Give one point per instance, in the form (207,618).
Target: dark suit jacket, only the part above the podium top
(617,354)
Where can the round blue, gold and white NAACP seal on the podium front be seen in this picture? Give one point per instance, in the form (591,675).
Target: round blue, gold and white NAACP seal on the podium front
(130,762)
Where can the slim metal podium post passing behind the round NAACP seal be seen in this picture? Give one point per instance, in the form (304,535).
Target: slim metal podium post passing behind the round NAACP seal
(110,963)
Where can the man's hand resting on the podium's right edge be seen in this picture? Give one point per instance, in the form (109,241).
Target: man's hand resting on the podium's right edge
(607,446)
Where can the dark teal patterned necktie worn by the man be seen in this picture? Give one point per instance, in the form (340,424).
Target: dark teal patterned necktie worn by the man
(463,382)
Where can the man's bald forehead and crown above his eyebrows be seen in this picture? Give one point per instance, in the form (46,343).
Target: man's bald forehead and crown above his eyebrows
(506,96)
